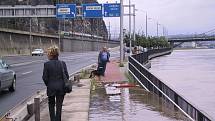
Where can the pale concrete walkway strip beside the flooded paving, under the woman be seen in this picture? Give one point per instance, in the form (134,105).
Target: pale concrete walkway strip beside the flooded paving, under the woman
(75,105)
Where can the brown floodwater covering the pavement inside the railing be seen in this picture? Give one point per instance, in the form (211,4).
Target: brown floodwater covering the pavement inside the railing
(133,104)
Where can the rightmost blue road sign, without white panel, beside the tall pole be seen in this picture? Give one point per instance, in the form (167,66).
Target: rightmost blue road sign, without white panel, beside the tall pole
(112,10)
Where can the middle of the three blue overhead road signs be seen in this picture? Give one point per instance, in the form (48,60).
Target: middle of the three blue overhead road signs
(92,10)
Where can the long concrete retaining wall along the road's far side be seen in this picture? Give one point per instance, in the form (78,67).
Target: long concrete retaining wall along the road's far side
(18,42)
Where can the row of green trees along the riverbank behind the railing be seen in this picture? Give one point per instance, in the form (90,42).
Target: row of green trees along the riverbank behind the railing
(148,42)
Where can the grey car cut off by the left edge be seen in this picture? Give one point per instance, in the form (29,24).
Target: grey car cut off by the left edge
(7,77)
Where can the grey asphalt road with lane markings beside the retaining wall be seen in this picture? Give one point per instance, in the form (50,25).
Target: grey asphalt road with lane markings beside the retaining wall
(29,74)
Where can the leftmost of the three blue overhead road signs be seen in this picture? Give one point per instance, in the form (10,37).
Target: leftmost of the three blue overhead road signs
(66,11)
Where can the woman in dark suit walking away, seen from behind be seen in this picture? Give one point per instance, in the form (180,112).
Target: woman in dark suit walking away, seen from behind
(53,79)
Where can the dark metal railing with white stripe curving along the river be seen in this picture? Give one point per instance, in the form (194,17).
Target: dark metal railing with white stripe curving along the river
(153,84)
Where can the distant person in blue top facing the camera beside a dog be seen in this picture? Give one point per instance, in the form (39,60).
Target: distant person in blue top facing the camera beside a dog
(103,58)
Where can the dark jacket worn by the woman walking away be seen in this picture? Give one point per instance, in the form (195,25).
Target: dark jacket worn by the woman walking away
(53,77)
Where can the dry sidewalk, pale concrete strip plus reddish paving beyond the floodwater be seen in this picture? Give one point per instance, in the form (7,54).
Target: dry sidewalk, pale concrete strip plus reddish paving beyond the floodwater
(76,104)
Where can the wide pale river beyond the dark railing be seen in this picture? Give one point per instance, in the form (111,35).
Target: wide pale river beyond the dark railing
(191,73)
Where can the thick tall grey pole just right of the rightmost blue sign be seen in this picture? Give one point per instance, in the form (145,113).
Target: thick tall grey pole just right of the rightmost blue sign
(121,31)
